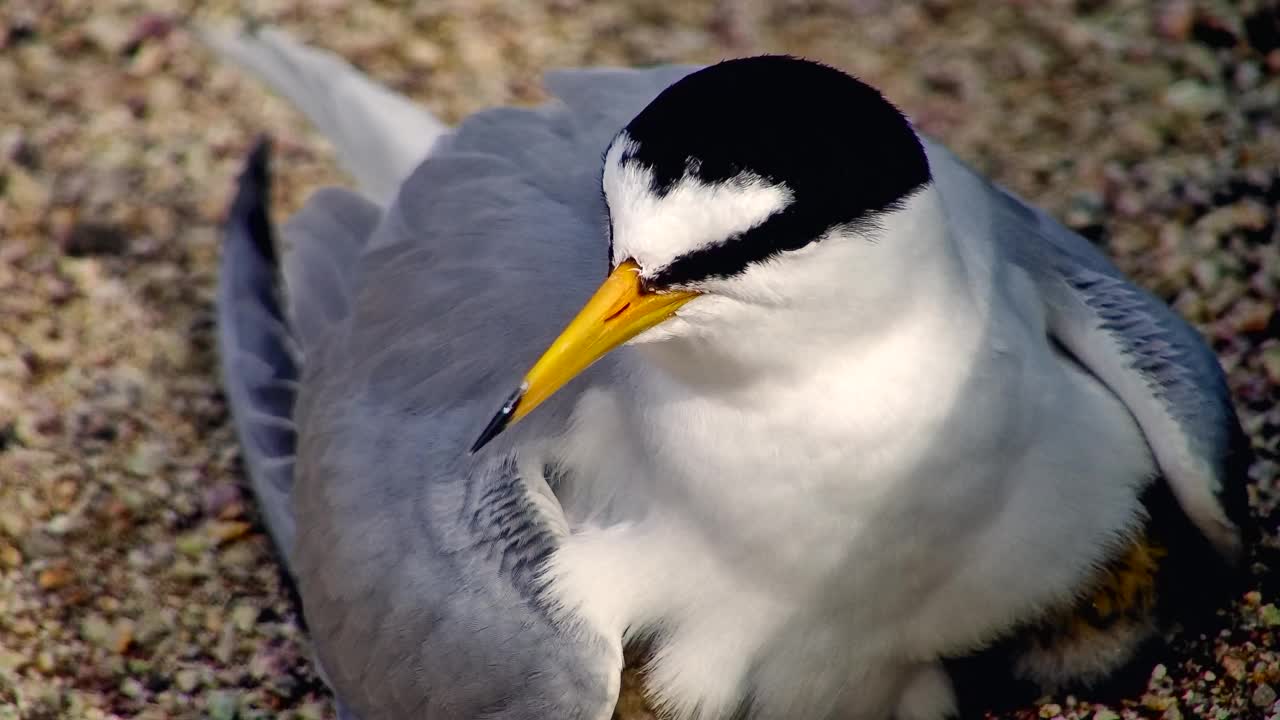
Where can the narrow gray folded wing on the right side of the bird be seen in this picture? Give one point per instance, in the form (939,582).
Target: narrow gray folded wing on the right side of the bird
(1144,352)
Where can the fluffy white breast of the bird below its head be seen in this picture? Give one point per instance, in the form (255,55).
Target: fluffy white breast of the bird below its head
(895,502)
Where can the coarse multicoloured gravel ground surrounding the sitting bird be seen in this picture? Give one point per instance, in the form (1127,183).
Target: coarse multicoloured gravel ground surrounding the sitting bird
(135,581)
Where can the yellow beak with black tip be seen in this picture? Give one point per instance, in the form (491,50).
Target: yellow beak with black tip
(619,312)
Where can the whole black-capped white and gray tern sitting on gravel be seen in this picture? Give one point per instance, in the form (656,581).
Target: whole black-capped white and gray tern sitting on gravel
(884,434)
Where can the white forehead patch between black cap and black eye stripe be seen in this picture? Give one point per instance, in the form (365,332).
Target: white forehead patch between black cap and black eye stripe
(656,230)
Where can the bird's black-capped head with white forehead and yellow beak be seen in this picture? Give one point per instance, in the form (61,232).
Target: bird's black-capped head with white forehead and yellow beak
(755,183)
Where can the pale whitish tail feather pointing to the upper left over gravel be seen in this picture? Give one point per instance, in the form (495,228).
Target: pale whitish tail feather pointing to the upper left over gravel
(380,135)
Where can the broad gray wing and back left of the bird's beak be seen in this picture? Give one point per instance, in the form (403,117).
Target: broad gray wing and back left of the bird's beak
(420,567)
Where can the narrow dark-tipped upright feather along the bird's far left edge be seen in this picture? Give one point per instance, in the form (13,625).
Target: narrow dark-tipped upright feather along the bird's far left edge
(259,361)
